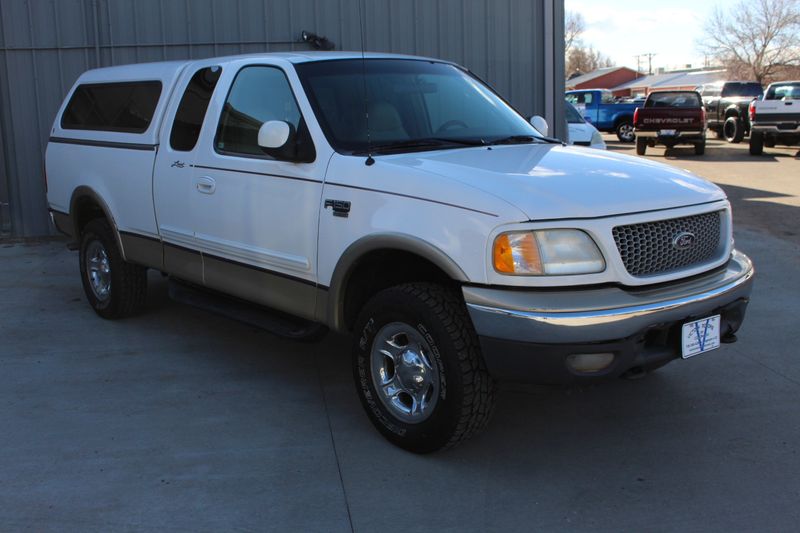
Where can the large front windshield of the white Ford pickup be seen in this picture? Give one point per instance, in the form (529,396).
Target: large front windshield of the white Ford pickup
(411,105)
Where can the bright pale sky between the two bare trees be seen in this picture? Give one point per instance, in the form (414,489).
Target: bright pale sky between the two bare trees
(670,29)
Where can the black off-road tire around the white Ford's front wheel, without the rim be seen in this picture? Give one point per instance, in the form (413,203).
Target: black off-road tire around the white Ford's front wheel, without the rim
(466,390)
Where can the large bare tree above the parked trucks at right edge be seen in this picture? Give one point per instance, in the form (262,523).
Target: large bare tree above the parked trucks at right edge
(758,38)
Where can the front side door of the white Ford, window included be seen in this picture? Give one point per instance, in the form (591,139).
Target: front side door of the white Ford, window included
(256,218)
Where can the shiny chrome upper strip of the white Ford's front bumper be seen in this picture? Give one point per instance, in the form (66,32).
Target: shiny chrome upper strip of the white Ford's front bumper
(610,316)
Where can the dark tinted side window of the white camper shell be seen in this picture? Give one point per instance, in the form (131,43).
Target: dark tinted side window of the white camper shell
(126,107)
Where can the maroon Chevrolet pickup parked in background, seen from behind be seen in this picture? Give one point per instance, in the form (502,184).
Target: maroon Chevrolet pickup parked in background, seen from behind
(671,118)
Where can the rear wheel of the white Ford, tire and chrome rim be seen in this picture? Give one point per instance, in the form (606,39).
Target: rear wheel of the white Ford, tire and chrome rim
(114,287)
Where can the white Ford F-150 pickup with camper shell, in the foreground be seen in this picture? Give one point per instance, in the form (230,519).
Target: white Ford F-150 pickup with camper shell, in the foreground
(399,199)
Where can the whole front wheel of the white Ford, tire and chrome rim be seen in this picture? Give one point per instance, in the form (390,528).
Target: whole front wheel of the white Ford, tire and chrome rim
(418,368)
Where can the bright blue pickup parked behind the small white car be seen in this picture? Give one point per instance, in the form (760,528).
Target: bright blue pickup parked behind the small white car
(599,108)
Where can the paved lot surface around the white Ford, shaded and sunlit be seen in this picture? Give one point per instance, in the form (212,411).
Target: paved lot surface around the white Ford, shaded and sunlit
(180,420)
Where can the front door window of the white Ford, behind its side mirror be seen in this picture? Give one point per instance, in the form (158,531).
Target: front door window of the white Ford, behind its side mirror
(259,94)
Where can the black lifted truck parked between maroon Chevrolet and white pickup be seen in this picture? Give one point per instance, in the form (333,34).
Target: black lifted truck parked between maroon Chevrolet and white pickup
(726,104)
